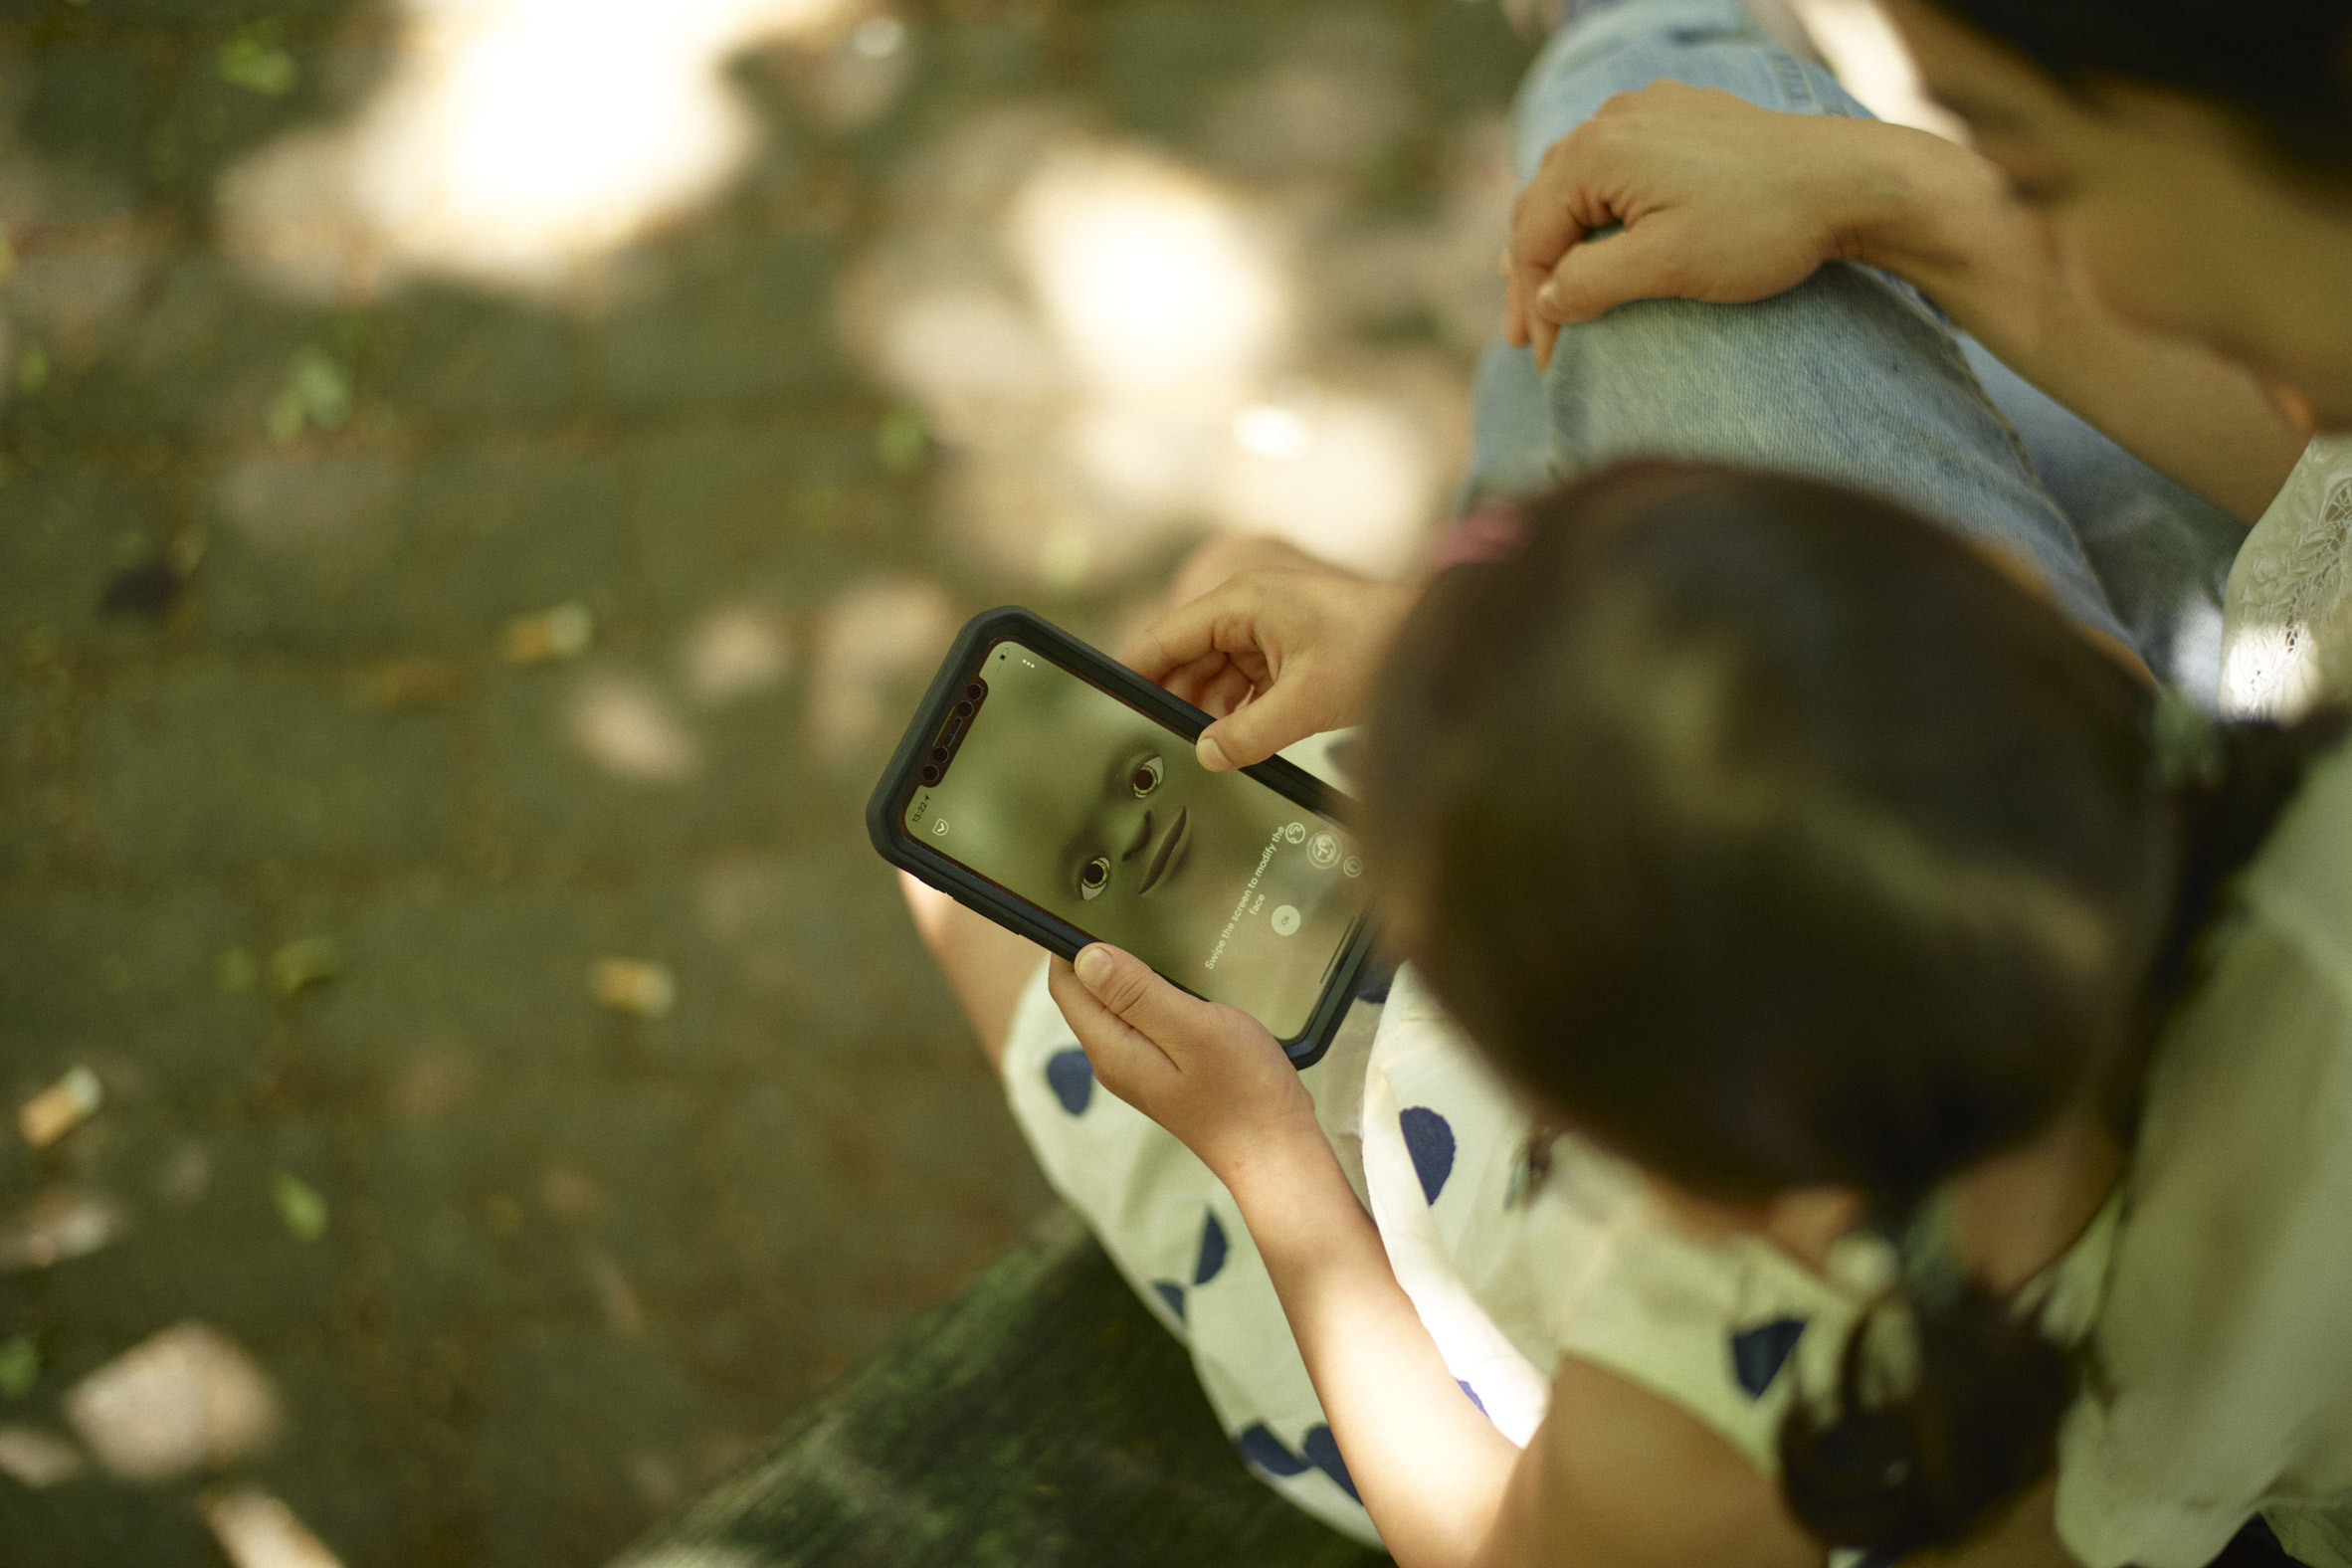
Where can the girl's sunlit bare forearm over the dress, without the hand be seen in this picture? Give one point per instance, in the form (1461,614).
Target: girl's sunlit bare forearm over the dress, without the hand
(1429,1466)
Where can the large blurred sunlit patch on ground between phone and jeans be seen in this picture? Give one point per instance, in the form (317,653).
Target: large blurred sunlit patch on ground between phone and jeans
(1123,349)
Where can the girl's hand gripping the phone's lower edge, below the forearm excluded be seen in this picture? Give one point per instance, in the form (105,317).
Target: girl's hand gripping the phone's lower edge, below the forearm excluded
(1203,1071)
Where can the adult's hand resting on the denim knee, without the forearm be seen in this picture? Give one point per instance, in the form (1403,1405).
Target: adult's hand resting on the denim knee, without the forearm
(1718,199)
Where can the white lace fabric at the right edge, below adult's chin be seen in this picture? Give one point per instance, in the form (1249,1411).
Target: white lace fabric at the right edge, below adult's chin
(2287,619)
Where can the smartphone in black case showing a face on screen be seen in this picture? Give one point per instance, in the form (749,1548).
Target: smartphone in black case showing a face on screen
(1057,793)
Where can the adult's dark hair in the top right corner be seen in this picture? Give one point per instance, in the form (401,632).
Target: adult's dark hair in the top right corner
(2280,67)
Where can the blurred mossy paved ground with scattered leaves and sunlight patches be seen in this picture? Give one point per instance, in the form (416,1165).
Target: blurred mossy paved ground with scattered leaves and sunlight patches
(415,594)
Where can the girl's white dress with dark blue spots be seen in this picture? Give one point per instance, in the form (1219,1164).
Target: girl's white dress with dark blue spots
(1509,1271)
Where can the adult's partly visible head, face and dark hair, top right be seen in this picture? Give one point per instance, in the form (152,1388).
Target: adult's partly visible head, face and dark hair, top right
(2193,159)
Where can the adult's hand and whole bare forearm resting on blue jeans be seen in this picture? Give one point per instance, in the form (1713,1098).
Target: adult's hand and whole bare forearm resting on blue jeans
(1730,203)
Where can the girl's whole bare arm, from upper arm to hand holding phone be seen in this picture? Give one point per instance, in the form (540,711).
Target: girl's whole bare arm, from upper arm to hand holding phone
(1615,1480)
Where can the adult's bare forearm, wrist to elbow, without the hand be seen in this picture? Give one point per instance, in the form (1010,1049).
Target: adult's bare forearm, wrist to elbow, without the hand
(1944,220)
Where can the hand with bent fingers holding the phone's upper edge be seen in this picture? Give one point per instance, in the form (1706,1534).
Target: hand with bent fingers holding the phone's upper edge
(1276,655)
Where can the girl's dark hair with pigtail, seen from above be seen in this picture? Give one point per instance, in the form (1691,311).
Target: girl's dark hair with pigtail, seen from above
(1777,838)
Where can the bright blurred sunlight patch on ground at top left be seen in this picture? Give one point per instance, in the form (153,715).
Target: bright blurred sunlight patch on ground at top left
(519,142)
